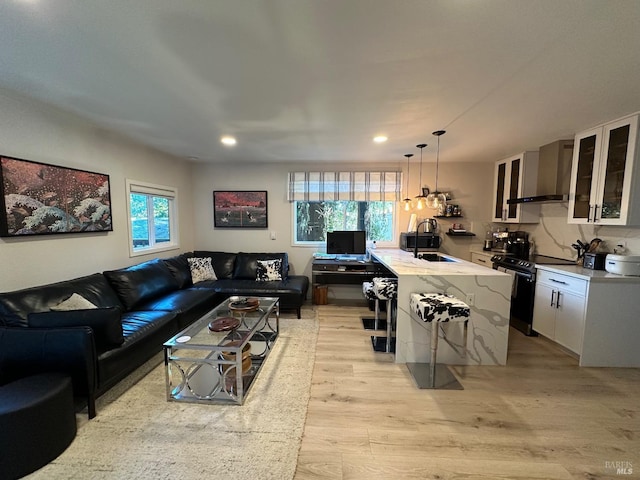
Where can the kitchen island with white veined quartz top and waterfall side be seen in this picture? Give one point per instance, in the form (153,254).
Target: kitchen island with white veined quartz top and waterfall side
(487,292)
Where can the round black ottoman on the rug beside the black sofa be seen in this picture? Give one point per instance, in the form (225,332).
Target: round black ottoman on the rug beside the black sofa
(37,422)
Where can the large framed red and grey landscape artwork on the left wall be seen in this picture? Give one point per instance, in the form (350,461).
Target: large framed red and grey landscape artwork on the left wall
(40,199)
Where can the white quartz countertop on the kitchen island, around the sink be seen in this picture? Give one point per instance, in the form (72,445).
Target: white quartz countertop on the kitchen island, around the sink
(403,263)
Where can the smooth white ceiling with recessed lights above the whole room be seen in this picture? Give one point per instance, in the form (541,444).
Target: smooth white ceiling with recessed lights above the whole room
(316,80)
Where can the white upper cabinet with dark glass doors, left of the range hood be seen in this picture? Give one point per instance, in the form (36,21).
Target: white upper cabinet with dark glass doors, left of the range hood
(516,177)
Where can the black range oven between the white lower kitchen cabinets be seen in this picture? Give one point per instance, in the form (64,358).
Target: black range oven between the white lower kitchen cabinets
(523,273)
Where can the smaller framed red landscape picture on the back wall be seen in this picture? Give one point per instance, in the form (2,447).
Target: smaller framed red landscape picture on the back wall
(240,209)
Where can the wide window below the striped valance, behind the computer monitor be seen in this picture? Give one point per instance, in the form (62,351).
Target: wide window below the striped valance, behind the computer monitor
(312,220)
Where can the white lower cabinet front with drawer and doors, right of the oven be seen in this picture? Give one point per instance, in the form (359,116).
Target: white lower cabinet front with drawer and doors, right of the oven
(559,309)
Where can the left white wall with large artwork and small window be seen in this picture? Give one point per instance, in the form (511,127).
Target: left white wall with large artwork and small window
(33,131)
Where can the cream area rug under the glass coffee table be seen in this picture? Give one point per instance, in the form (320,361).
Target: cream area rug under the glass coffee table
(140,435)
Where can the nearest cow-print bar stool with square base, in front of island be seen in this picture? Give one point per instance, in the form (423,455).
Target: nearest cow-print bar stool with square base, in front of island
(436,308)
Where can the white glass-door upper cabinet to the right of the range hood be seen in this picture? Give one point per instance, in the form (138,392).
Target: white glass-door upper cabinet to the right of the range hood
(604,173)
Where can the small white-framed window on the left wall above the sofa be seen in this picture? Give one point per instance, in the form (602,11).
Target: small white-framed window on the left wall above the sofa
(153,218)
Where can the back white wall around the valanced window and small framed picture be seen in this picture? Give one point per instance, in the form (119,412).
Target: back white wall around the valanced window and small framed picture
(466,182)
